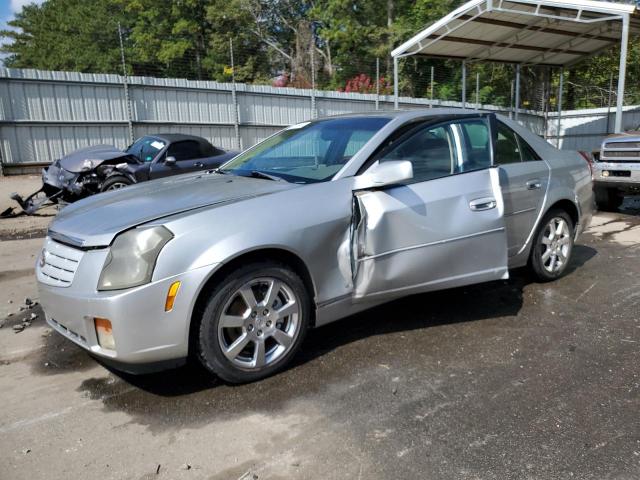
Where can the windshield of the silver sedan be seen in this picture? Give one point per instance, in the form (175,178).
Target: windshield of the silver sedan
(308,152)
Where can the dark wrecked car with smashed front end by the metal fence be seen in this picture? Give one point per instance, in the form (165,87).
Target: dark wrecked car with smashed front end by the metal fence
(104,167)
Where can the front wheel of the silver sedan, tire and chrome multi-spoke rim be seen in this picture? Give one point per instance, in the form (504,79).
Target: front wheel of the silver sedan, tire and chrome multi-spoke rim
(259,335)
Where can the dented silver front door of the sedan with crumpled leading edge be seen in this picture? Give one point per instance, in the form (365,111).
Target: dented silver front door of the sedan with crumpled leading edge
(428,235)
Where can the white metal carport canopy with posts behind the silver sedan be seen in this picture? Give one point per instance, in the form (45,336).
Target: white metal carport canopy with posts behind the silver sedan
(528,32)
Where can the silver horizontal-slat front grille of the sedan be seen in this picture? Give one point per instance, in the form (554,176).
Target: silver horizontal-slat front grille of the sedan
(58,264)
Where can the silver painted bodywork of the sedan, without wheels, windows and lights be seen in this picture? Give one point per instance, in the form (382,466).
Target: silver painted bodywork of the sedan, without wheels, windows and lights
(351,242)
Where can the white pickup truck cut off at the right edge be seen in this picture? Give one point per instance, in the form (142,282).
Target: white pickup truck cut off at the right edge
(616,171)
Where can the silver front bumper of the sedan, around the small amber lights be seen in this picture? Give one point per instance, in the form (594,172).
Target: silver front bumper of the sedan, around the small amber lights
(143,332)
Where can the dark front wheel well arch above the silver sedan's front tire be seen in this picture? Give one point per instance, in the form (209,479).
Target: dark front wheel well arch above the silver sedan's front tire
(275,254)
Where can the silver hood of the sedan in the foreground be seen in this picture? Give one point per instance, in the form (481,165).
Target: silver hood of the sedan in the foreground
(96,220)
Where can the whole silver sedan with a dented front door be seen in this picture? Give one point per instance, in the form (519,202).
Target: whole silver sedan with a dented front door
(317,222)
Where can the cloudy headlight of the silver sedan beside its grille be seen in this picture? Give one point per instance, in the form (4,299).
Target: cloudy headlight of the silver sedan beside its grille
(132,258)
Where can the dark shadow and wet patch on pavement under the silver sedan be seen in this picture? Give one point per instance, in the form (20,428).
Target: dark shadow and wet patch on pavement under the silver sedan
(338,352)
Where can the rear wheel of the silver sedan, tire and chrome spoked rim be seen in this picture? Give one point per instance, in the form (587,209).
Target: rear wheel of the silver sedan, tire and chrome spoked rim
(547,266)
